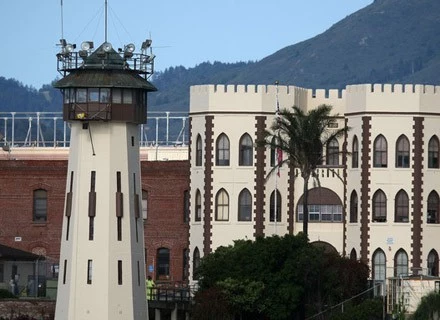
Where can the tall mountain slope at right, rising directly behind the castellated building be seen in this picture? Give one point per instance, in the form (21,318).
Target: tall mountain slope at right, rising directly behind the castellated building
(389,41)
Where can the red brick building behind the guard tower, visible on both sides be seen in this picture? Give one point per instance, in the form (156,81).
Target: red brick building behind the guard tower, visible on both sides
(32,193)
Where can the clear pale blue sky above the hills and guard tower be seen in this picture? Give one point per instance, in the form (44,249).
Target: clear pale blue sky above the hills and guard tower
(183,32)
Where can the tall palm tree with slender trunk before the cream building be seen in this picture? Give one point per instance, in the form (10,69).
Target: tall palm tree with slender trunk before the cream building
(302,137)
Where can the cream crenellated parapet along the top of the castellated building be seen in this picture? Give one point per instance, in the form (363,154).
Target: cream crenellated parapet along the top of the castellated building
(354,99)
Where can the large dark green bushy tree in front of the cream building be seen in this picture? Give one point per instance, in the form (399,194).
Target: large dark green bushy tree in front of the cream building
(273,278)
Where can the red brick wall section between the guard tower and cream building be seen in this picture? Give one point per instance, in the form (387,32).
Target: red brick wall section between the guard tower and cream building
(166,183)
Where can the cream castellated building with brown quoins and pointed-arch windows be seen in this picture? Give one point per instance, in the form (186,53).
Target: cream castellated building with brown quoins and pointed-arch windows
(379,203)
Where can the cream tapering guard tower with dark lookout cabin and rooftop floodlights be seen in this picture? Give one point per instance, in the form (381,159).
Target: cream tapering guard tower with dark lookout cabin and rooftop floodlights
(102,268)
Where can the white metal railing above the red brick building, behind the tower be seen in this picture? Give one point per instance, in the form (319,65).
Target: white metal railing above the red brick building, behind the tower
(47,129)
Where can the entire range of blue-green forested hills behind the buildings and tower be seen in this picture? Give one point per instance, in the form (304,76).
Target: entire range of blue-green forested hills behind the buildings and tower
(389,41)
